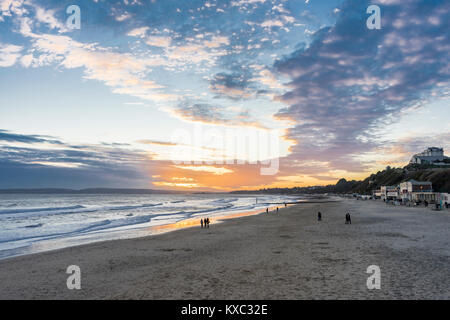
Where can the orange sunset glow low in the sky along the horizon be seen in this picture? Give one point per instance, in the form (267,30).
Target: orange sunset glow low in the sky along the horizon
(234,176)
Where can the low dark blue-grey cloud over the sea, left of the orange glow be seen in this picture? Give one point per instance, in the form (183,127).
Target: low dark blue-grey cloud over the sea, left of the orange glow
(70,166)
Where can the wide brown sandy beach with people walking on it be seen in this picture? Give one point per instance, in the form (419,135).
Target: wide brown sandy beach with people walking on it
(284,255)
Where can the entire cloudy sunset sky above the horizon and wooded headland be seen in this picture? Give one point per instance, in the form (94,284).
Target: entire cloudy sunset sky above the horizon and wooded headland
(218,95)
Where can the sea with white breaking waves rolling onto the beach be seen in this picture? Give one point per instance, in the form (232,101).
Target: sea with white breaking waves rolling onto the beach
(32,223)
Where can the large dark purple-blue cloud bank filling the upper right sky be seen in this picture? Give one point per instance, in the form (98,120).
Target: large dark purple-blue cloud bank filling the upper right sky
(350,79)
